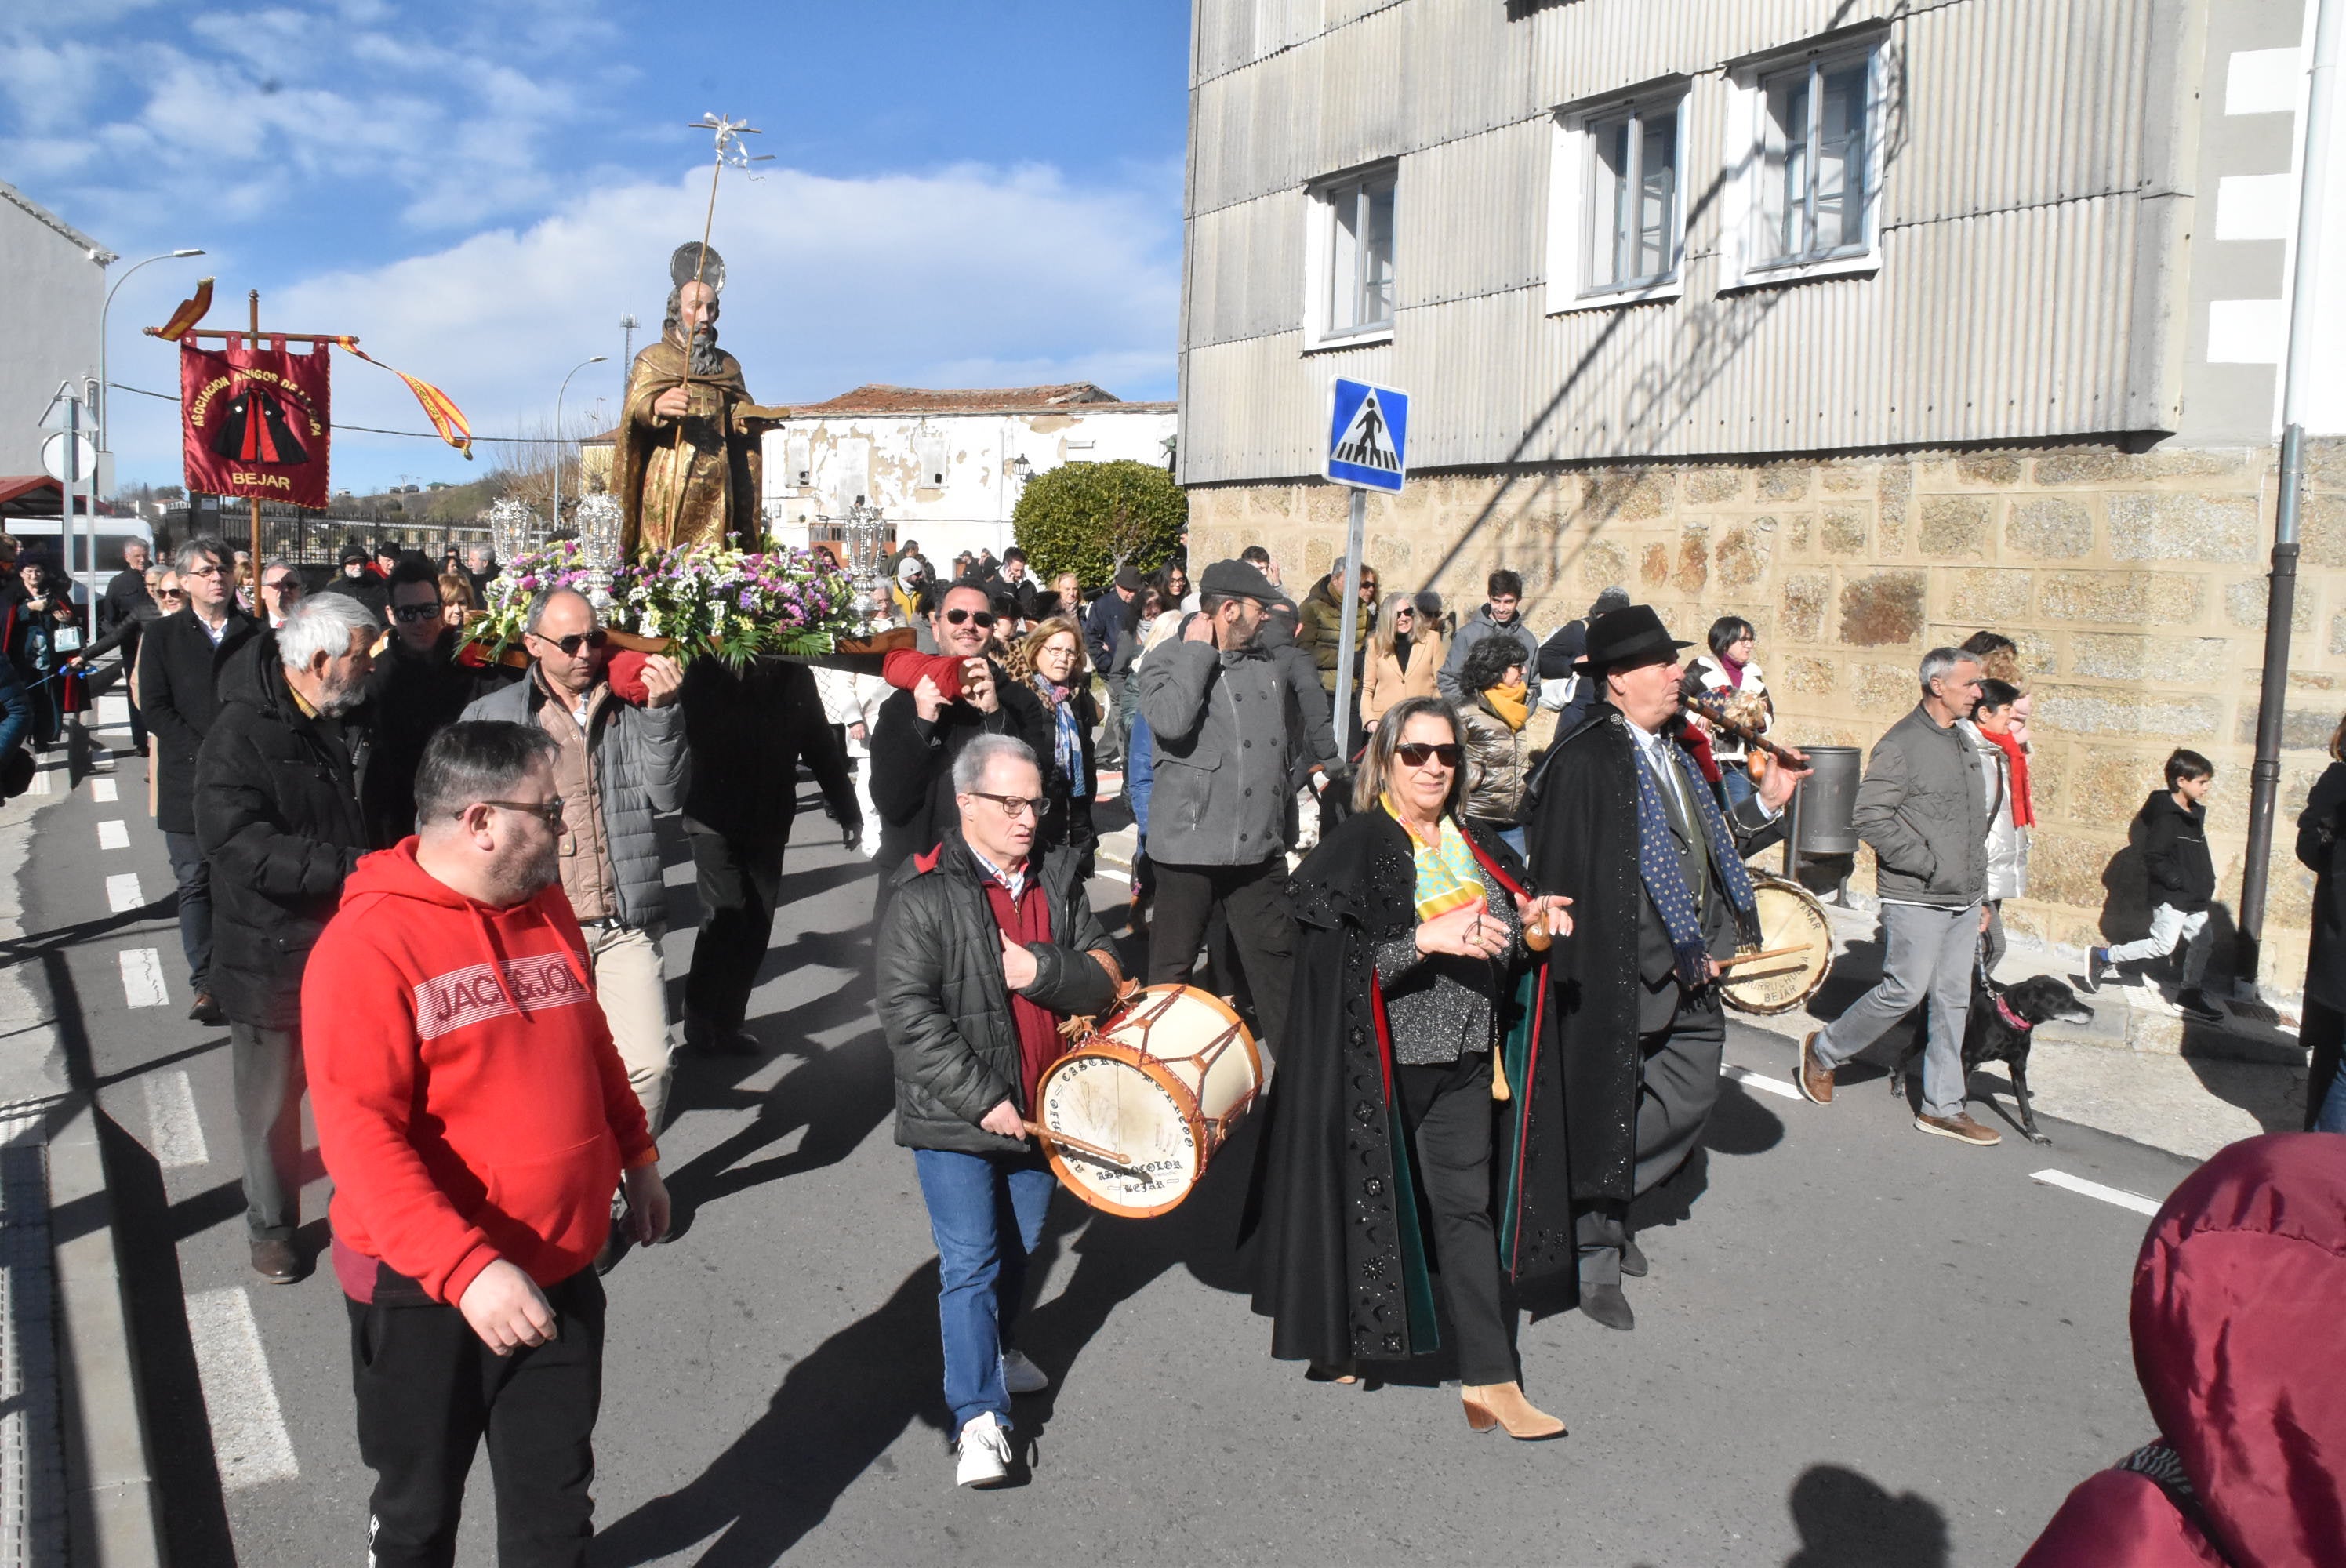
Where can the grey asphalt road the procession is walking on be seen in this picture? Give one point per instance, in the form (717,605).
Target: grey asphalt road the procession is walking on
(1859,1346)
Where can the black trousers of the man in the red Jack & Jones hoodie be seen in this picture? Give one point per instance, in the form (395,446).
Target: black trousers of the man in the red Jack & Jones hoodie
(430,1391)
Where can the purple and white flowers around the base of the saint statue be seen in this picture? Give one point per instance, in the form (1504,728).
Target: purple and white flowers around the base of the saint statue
(726,602)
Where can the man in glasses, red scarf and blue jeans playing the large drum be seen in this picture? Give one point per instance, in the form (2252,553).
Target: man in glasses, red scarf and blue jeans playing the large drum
(982,954)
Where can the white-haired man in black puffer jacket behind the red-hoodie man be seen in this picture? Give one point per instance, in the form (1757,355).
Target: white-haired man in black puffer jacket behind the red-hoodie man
(278,818)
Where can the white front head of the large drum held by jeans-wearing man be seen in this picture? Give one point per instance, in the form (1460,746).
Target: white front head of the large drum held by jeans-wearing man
(1116,1100)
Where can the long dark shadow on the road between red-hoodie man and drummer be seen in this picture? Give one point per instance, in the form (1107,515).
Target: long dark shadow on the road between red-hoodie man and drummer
(834,1417)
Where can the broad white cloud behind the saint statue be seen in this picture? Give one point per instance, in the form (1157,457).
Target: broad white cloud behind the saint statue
(963,276)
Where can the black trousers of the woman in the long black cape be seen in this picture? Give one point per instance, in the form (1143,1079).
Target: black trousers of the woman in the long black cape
(1449,1114)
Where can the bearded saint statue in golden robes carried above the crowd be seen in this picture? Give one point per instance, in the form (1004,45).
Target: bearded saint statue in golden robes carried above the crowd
(689,442)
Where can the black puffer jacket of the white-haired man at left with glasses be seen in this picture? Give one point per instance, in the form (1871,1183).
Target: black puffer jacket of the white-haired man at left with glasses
(278,818)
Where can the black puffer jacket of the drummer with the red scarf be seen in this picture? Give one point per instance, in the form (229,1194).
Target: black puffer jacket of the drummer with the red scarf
(947,1008)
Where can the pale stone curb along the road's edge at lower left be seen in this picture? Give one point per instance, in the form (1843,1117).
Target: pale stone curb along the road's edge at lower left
(111,1480)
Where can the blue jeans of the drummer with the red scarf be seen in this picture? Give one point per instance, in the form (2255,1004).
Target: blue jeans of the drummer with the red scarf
(979,1283)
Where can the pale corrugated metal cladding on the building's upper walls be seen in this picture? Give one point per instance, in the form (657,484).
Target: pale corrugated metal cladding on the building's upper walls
(2012,234)
